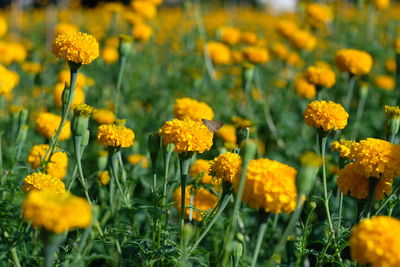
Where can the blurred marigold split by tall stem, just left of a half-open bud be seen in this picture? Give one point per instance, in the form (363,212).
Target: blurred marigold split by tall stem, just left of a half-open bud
(47,124)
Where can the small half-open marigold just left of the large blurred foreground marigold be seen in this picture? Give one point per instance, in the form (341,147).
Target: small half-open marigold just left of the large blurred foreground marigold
(226,167)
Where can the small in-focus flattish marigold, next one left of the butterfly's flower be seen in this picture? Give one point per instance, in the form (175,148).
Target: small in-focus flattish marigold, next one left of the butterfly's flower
(115,135)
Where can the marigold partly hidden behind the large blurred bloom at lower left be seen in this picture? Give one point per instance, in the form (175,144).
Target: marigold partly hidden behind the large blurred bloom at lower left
(39,181)
